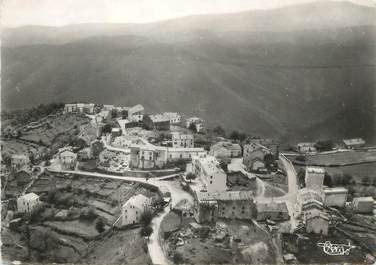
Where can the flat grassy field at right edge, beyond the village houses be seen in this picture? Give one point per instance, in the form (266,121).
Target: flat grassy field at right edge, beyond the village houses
(341,158)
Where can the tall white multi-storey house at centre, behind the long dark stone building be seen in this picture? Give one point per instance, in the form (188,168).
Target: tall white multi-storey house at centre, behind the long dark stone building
(207,168)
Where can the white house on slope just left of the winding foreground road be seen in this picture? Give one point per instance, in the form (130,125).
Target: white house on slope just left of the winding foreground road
(133,208)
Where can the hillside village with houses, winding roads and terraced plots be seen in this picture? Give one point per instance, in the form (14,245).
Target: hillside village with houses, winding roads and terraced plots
(179,190)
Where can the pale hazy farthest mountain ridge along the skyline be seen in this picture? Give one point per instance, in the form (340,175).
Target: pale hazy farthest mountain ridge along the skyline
(317,15)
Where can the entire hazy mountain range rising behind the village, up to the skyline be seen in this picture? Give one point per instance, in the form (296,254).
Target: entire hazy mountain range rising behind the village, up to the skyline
(298,72)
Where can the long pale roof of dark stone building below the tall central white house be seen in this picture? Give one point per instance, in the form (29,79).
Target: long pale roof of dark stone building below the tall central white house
(225,196)
